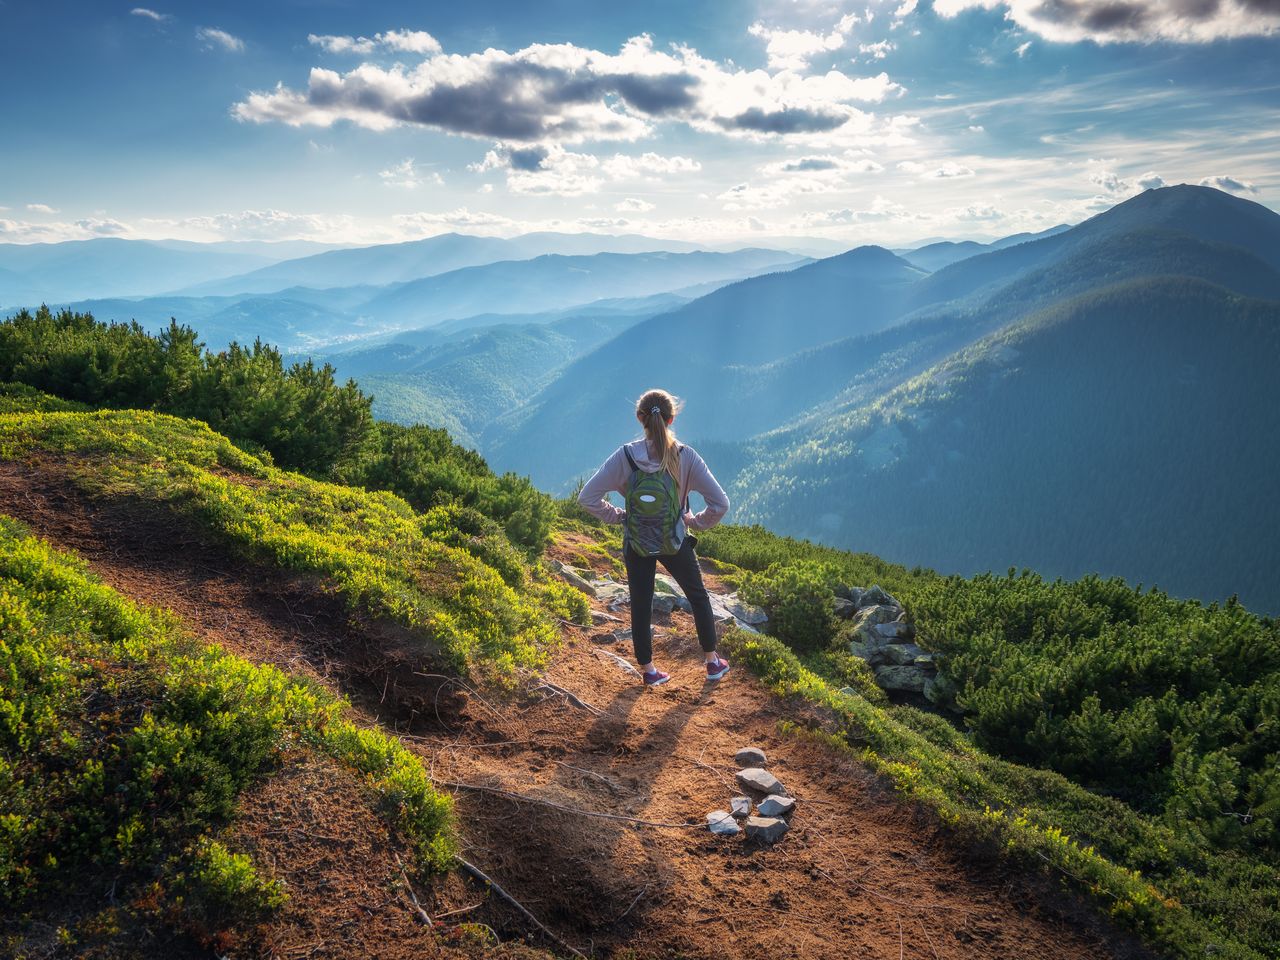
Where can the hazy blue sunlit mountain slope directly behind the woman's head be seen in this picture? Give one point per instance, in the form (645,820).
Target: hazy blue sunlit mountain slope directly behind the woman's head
(705,351)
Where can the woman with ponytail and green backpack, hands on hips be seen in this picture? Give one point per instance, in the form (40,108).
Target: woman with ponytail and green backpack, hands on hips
(641,464)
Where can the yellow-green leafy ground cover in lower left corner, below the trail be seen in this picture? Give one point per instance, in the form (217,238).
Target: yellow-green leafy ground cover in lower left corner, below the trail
(125,746)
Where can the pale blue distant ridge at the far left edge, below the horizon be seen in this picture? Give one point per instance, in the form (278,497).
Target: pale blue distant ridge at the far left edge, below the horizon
(109,267)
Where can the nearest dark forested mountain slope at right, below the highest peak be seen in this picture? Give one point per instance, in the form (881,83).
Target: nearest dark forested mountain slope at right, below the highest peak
(1128,431)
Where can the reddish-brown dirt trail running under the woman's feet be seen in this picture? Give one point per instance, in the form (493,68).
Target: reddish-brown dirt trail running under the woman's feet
(860,875)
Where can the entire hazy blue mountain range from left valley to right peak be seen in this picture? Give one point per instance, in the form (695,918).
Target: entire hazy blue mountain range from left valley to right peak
(1098,397)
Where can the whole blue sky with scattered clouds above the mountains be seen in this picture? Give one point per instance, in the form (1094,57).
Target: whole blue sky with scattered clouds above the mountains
(726,121)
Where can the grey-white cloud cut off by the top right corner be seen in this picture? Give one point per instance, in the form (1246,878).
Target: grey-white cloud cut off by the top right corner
(1132,21)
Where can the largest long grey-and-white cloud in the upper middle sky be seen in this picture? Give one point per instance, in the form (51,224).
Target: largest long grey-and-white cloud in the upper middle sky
(566,94)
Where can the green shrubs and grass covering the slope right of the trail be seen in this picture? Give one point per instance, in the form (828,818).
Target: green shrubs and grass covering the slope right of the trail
(1159,715)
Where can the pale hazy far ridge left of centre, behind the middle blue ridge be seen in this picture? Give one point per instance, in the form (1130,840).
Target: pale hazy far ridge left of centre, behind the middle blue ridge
(399,263)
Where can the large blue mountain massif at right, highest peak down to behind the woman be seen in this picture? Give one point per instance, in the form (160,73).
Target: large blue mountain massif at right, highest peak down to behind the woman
(1101,399)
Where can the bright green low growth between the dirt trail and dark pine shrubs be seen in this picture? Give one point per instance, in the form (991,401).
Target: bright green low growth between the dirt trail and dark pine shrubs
(450,575)
